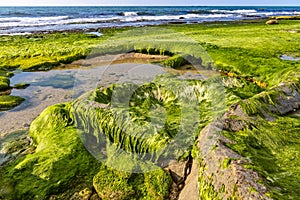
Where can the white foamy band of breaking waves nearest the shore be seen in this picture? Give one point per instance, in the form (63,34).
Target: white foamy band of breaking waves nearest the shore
(25,24)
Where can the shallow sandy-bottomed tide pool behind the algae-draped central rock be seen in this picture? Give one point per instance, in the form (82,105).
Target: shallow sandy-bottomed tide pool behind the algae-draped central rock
(64,84)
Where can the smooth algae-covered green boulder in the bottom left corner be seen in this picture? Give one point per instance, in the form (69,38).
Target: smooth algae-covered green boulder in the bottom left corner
(59,160)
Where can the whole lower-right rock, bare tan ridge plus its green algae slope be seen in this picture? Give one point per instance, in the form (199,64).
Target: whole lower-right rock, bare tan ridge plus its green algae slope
(244,155)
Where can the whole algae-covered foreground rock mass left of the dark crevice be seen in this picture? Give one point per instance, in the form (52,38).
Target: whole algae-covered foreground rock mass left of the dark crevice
(60,161)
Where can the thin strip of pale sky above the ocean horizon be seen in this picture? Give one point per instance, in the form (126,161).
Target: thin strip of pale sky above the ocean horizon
(147,2)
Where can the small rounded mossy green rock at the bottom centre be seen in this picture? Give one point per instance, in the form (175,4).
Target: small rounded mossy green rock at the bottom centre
(113,184)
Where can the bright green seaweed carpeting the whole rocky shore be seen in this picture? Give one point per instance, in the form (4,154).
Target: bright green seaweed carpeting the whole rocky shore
(252,59)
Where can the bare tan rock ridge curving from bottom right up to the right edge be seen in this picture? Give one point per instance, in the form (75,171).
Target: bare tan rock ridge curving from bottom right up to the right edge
(222,174)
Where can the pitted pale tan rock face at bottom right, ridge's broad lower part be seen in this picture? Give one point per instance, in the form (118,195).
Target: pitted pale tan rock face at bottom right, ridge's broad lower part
(233,179)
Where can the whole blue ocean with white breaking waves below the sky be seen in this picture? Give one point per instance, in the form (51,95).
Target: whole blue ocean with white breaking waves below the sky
(26,20)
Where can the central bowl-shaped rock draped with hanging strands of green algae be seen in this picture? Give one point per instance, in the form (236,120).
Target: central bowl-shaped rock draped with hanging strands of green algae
(153,122)
